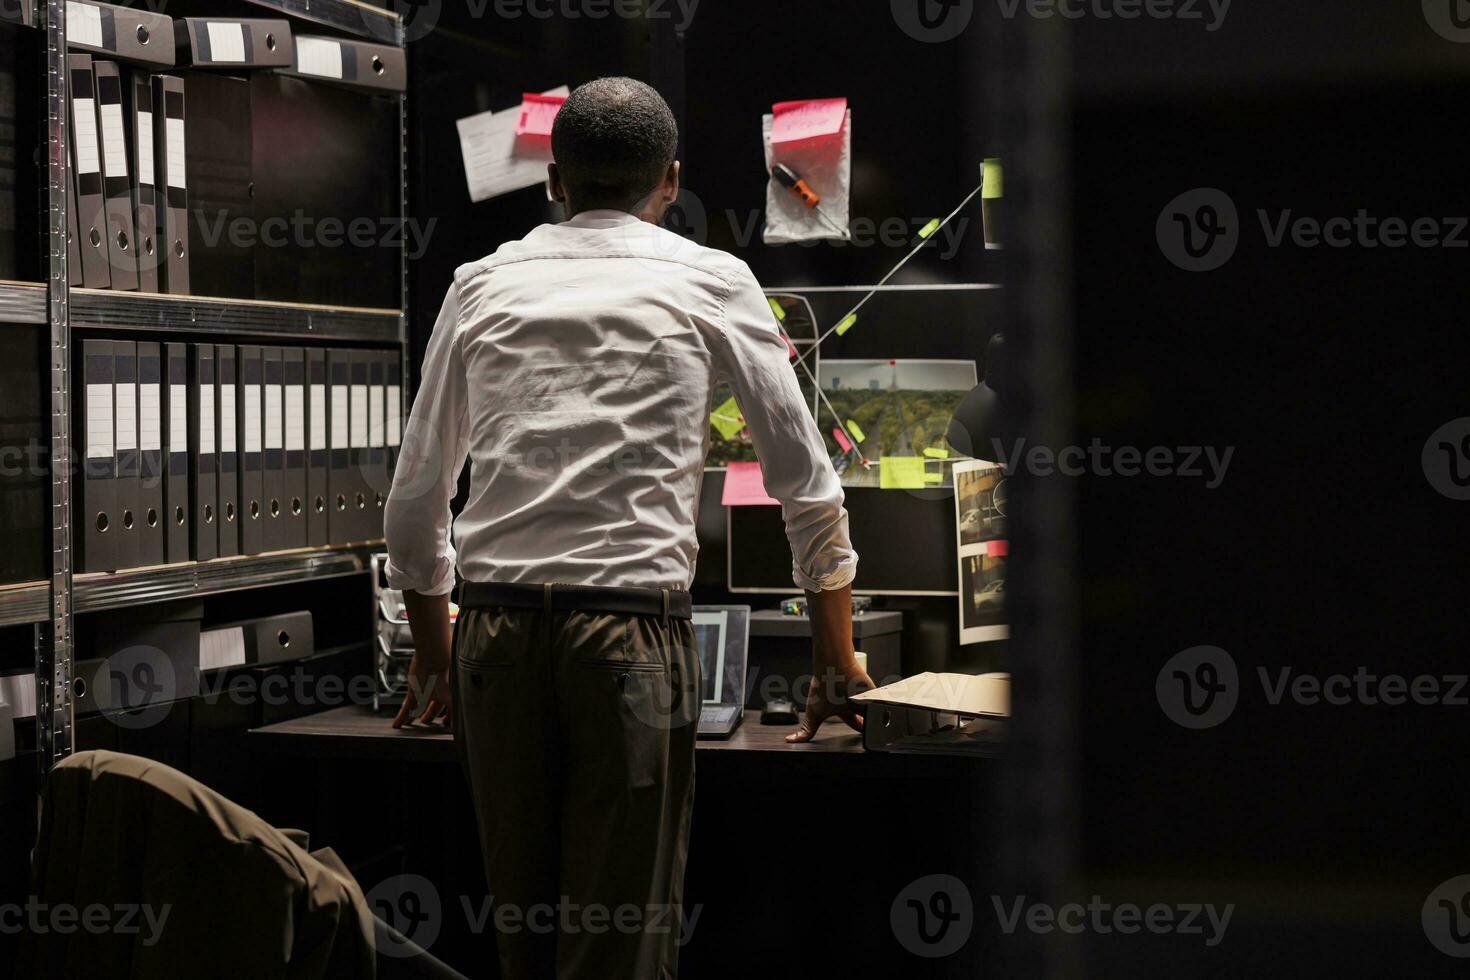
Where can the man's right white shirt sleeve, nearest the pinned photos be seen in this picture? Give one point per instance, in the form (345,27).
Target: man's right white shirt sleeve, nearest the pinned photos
(793,458)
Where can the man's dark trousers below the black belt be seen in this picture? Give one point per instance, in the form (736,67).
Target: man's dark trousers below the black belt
(577,734)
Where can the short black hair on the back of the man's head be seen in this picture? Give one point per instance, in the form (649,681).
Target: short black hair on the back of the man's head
(614,142)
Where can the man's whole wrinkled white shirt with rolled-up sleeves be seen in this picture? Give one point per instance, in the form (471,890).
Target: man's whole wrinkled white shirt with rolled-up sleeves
(576,370)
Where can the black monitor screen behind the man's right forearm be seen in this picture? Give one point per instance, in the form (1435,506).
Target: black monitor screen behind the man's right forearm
(921,561)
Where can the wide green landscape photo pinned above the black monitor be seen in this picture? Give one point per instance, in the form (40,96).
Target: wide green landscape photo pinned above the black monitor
(902,408)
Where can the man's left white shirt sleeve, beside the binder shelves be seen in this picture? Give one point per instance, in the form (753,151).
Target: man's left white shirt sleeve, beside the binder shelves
(418,519)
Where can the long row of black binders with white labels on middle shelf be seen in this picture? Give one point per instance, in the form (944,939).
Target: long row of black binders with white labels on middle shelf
(198,452)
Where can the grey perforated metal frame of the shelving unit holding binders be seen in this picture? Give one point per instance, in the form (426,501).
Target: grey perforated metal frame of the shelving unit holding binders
(52,605)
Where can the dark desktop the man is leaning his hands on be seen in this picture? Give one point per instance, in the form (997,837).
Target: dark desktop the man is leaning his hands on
(358,732)
